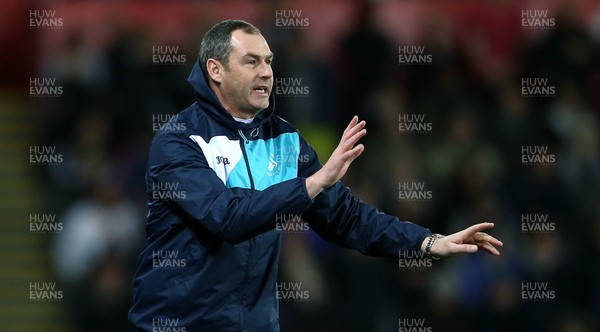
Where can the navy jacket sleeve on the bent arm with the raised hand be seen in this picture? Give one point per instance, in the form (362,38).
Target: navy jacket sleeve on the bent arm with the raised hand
(231,214)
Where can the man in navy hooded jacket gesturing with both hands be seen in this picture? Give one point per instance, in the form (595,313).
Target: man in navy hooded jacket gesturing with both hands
(217,184)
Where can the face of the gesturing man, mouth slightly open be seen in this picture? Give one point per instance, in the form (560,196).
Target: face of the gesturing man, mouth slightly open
(247,79)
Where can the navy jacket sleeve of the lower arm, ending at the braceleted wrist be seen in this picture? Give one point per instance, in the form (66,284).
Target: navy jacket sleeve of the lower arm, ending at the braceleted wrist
(338,216)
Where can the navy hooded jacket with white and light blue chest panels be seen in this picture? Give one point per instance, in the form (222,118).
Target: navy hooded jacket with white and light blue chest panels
(215,188)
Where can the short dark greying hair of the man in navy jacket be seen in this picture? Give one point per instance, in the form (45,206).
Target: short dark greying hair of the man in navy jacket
(216,43)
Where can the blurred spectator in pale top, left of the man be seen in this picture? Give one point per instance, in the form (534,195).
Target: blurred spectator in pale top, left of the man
(95,253)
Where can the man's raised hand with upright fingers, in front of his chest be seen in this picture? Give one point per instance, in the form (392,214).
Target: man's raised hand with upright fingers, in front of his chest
(341,158)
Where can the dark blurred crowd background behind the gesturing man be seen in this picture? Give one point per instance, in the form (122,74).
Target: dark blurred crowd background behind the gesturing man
(74,149)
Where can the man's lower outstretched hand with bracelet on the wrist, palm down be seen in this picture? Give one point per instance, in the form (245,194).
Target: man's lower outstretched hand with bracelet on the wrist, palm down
(468,240)
